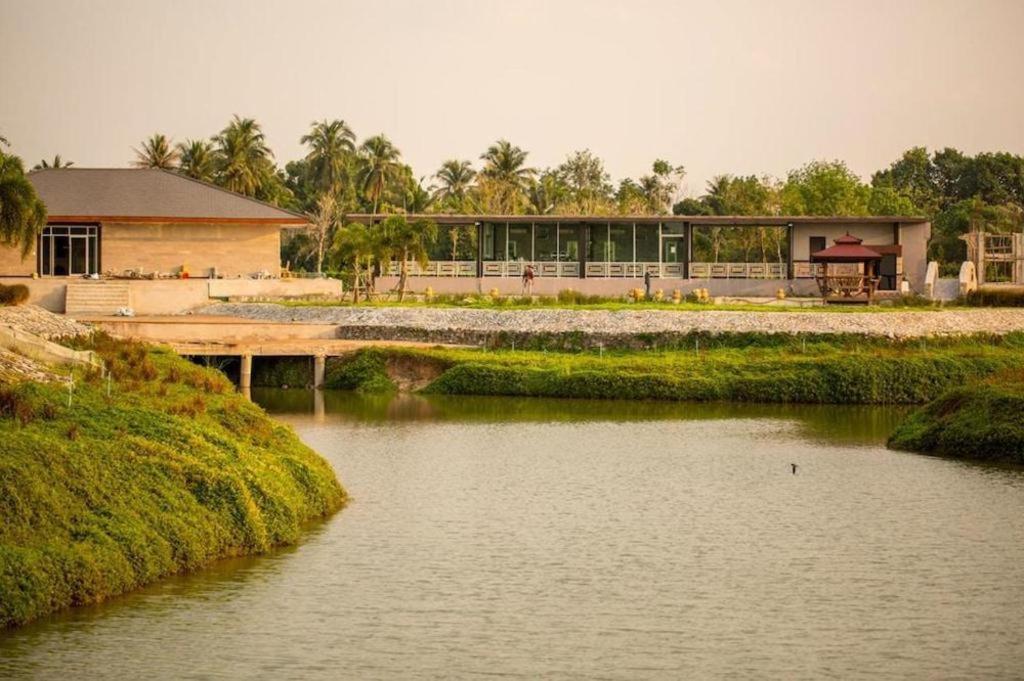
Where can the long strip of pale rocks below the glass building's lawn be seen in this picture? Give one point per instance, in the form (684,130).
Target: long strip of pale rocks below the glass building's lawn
(457,325)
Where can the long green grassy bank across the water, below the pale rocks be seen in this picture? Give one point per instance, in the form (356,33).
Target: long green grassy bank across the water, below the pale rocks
(741,368)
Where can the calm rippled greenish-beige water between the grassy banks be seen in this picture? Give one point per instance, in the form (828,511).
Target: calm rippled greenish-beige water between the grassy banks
(579,540)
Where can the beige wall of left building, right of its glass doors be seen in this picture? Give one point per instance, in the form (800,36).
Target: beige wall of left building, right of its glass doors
(236,250)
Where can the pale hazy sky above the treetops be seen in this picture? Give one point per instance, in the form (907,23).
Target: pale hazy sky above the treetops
(743,88)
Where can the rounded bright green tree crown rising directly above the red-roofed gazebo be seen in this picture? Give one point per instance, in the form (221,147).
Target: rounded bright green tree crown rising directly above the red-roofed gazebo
(824,188)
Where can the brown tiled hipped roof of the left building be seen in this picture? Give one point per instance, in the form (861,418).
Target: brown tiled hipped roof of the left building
(147,195)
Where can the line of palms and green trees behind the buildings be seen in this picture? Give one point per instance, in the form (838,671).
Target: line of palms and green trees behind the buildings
(342,175)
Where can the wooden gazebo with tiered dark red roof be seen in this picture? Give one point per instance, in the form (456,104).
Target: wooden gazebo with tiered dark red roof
(849,272)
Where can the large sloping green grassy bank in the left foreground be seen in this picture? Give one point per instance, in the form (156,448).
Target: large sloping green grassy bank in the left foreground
(160,471)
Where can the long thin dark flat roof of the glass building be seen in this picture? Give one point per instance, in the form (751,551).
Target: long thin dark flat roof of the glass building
(655,220)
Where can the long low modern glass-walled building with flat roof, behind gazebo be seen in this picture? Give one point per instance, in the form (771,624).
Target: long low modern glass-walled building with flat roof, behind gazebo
(685,248)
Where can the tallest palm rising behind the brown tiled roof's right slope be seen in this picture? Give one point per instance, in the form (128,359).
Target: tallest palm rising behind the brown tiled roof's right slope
(244,162)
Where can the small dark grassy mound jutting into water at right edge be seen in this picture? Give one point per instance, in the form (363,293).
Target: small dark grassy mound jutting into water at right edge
(985,420)
